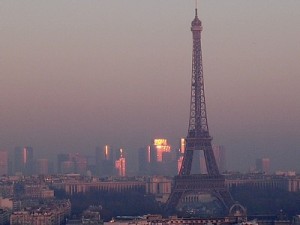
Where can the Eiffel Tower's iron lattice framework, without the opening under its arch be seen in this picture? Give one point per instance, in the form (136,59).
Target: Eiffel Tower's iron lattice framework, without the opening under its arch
(198,138)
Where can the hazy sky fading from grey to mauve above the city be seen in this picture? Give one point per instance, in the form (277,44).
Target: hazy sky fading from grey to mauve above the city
(75,74)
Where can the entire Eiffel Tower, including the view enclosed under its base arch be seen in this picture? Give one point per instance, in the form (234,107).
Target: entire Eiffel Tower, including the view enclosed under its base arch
(198,194)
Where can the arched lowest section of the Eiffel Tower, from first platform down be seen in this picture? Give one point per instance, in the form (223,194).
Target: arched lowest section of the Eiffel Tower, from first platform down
(199,195)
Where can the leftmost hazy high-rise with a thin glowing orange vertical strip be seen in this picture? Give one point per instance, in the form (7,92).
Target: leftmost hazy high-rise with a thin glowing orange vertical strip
(24,163)
